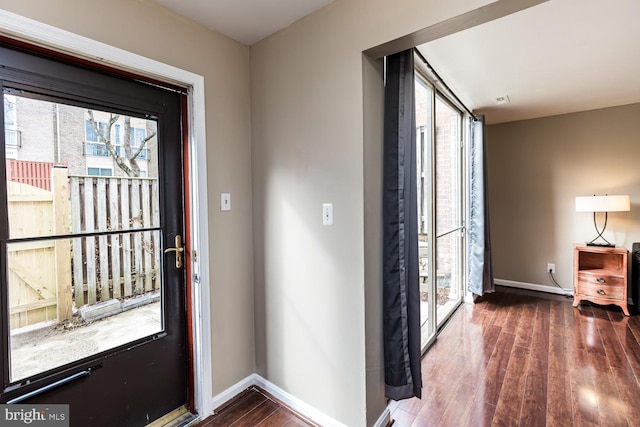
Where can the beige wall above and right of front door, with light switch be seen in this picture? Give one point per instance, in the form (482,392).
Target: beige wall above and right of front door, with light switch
(144,28)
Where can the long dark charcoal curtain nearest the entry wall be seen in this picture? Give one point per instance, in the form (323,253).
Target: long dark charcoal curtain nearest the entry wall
(401,293)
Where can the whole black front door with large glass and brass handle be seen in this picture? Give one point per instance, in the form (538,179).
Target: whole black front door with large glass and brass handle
(92,290)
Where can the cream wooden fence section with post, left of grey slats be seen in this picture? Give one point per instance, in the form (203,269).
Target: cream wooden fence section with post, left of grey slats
(39,272)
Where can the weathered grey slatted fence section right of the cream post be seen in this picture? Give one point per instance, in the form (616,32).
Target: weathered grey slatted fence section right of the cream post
(117,265)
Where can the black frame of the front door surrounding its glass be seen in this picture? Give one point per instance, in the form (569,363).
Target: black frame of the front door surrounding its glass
(51,79)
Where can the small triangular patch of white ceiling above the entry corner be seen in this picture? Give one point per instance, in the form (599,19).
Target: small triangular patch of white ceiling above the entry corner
(246,21)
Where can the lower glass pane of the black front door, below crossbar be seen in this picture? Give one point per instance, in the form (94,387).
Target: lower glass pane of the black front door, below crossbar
(114,298)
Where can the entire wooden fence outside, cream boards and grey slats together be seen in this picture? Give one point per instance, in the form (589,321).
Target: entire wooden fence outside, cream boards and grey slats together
(47,277)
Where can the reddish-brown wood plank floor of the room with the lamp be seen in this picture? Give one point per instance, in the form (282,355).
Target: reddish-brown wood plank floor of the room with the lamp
(521,358)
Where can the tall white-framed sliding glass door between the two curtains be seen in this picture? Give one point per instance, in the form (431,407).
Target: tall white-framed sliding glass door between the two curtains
(440,207)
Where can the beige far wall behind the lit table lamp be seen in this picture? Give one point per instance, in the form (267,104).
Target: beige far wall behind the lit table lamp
(537,168)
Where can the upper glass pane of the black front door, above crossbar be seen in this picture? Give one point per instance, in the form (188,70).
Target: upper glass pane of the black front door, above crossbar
(81,140)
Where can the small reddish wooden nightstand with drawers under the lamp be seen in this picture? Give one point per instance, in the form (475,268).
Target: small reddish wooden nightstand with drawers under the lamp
(600,276)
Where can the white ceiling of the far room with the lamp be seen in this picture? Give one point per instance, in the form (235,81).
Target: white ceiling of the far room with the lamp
(557,57)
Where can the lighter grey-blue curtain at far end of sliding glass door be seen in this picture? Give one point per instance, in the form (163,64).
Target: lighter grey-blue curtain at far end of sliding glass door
(480,268)
